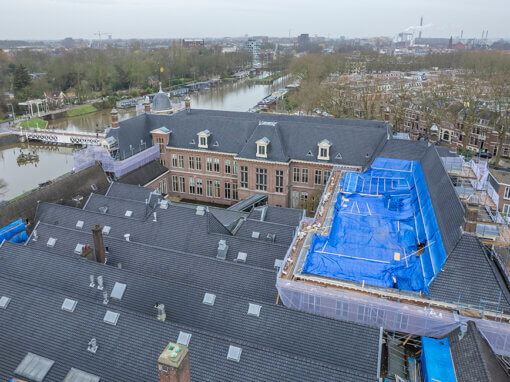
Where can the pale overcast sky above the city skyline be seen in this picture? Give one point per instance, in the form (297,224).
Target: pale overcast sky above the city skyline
(57,19)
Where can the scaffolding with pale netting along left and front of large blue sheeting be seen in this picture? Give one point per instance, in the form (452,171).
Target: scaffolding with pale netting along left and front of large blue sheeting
(392,309)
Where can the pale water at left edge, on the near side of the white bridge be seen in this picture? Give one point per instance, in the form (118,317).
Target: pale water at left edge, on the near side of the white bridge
(53,162)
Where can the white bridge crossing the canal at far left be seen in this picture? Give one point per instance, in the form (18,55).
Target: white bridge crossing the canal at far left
(62,137)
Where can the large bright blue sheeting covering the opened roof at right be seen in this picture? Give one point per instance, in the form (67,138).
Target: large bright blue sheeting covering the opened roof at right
(380,218)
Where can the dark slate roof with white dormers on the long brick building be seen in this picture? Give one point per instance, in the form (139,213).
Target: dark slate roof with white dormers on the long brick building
(354,142)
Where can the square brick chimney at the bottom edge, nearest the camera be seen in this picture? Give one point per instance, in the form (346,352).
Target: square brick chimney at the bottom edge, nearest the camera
(173,364)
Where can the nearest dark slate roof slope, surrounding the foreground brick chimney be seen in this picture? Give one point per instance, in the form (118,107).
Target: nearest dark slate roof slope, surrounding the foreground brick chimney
(34,322)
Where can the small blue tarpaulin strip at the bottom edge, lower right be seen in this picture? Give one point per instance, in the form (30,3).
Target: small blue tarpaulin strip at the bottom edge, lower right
(436,360)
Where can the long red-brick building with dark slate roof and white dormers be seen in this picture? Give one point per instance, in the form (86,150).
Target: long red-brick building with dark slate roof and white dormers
(222,157)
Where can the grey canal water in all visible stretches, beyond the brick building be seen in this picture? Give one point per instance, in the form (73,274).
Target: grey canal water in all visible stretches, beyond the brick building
(55,161)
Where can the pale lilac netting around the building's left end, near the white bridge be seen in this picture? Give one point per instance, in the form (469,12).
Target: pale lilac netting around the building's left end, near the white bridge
(87,157)
